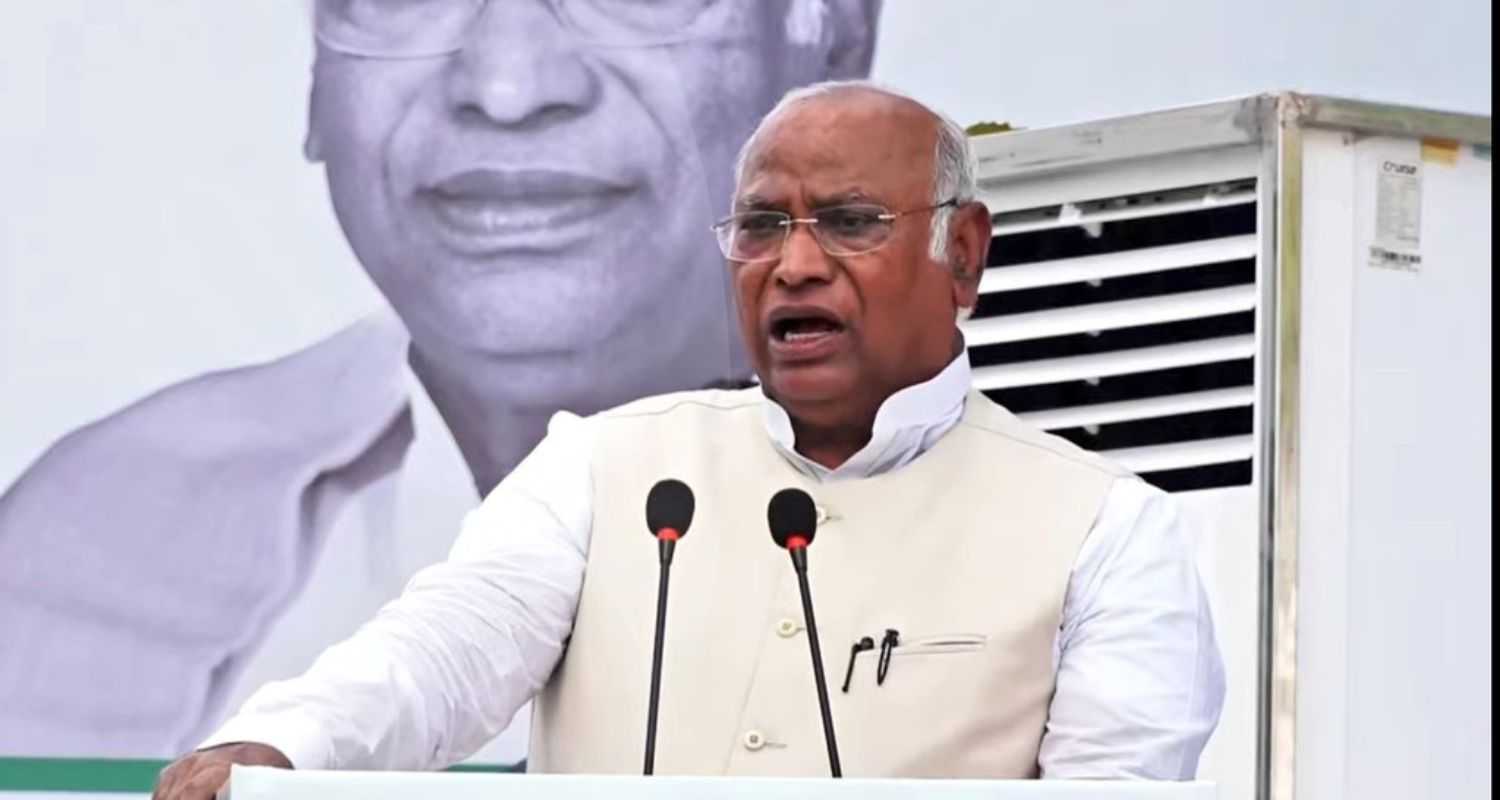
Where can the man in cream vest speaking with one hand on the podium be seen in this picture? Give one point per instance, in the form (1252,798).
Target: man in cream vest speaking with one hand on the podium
(1039,609)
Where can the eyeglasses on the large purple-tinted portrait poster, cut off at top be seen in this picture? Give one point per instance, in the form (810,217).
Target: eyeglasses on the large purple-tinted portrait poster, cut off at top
(422,29)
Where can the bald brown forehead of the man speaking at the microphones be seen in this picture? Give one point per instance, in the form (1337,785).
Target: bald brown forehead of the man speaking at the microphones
(842,148)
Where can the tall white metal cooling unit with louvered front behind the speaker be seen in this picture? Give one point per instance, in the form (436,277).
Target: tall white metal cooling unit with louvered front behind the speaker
(1280,308)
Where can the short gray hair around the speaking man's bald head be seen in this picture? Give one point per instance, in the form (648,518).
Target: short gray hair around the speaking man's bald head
(953,163)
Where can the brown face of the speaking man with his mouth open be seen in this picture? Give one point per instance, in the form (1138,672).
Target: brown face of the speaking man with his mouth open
(833,337)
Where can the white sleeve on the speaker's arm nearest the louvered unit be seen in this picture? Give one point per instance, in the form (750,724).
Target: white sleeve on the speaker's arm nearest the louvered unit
(1141,682)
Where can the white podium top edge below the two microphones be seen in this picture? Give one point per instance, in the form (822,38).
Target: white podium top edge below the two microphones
(271,784)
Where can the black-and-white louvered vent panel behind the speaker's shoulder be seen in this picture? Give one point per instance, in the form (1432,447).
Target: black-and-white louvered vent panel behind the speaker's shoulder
(1127,325)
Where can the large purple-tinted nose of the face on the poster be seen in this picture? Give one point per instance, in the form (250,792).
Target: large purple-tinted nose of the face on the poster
(520,64)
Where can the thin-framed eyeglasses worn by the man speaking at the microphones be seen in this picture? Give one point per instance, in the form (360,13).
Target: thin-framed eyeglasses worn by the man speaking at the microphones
(839,230)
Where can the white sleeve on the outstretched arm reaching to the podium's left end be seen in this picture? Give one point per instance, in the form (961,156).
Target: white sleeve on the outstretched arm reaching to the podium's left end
(443,670)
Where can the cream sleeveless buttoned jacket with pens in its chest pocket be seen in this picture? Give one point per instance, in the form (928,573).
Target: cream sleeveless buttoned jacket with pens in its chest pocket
(965,552)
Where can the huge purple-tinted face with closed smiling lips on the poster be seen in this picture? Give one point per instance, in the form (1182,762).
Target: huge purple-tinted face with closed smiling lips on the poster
(536,194)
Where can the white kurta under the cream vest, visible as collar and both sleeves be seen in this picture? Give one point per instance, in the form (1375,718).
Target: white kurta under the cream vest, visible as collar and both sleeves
(1139,678)
